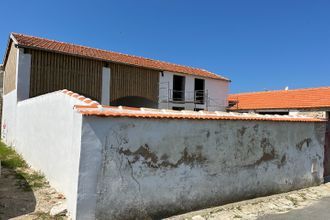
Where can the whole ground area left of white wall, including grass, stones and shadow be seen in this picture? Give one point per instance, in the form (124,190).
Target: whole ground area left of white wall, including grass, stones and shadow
(24,193)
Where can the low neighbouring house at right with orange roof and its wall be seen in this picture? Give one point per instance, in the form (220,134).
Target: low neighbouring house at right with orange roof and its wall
(311,102)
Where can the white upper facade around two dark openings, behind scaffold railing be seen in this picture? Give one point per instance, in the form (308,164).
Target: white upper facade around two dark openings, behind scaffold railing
(215,93)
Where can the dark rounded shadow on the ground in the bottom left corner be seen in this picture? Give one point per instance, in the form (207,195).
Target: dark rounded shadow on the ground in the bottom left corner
(16,196)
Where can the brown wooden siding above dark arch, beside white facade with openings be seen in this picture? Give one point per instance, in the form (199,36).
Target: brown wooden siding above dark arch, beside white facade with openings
(133,81)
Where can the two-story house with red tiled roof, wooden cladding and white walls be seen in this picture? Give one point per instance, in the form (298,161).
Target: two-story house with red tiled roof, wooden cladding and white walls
(34,66)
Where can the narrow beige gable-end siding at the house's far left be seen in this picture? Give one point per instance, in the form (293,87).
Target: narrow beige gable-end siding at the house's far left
(10,70)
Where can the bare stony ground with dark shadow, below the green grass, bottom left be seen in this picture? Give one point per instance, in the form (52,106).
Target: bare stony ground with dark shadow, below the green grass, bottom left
(20,200)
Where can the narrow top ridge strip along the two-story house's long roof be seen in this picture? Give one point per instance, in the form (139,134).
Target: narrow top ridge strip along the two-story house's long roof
(124,54)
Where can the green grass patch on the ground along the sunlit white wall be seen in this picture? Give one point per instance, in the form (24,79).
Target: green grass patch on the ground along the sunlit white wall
(26,179)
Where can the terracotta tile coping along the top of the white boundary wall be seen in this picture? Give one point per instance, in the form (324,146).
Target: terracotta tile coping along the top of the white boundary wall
(92,108)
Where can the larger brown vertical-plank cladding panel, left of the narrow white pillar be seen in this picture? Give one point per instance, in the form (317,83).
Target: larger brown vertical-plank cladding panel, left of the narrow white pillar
(53,71)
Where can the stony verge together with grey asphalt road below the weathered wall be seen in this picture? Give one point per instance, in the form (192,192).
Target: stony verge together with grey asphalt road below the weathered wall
(311,203)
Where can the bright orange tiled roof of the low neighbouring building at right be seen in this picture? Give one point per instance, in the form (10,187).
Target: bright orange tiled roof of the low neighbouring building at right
(282,99)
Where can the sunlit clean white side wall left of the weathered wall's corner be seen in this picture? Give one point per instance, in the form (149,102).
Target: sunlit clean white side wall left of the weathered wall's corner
(48,136)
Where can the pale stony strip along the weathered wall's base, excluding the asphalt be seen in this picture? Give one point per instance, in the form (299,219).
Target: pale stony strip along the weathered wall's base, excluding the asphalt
(254,208)
